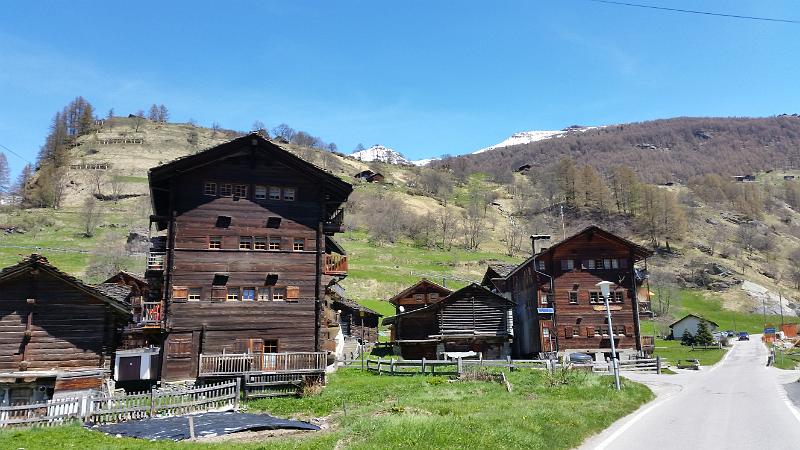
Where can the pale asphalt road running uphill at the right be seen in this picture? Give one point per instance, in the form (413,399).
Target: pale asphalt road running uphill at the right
(737,404)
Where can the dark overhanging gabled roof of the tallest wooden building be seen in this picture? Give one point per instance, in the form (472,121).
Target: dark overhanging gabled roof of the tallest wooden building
(337,189)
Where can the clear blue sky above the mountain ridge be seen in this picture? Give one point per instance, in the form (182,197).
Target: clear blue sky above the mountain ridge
(423,77)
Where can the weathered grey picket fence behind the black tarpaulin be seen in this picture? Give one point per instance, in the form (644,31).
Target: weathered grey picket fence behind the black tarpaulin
(122,407)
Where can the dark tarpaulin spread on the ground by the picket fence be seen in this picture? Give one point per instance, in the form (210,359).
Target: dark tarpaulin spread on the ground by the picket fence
(206,424)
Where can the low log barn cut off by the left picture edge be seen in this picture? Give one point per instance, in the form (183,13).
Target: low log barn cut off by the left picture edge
(57,334)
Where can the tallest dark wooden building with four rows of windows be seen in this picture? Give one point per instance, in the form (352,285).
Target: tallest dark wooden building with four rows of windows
(244,263)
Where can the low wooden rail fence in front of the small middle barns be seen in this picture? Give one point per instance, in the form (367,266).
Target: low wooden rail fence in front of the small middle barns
(448,367)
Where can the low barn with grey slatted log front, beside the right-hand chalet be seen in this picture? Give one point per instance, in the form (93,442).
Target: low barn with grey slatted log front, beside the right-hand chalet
(471,319)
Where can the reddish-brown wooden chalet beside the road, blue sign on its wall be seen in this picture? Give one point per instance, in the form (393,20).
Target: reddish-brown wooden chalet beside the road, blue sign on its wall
(560,308)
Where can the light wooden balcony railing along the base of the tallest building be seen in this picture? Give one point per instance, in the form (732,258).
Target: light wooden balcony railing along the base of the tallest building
(213,365)
